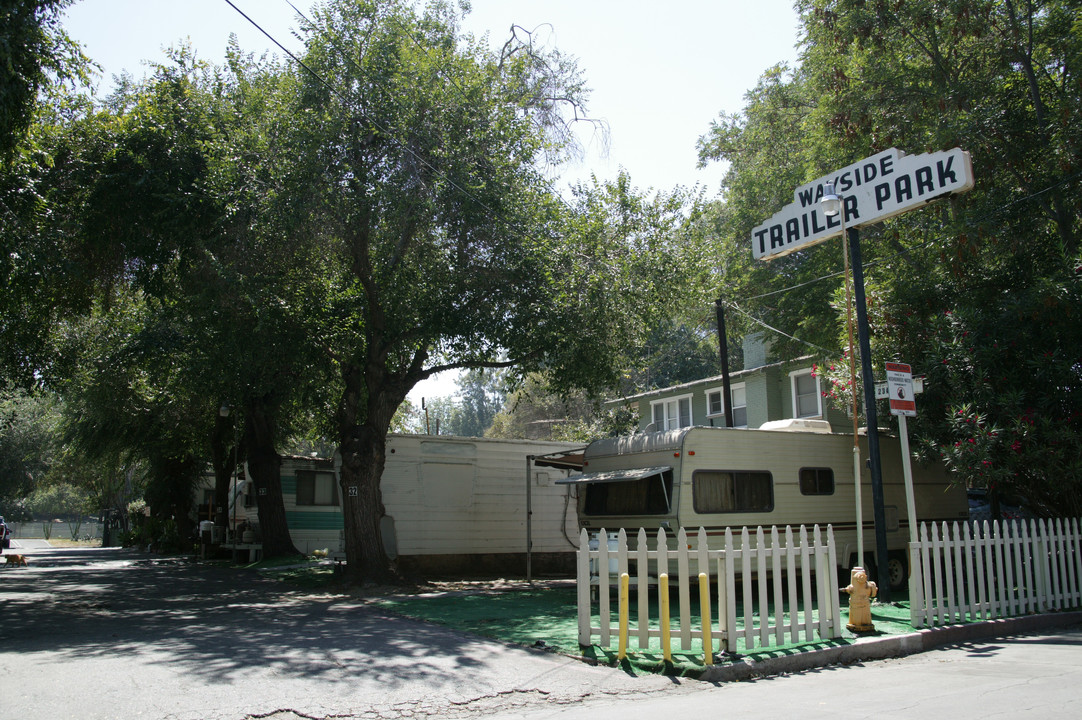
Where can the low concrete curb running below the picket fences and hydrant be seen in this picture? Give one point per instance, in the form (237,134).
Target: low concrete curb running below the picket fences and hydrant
(878,649)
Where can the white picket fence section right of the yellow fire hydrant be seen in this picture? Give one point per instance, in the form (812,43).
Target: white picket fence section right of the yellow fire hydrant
(970,572)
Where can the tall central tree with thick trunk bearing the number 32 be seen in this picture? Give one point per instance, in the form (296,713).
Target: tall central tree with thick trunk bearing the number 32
(425,155)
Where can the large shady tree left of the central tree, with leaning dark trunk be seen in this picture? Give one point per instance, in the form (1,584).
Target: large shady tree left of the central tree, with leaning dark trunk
(171,197)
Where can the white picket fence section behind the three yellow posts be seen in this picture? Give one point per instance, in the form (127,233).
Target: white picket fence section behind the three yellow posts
(781,604)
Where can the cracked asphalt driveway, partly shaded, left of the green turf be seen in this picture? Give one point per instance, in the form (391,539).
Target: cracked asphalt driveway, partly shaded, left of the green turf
(94,634)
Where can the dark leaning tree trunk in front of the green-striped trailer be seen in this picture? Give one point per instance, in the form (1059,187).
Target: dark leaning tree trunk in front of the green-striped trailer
(265,467)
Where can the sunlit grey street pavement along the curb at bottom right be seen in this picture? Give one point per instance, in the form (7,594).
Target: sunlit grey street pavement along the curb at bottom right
(1038,676)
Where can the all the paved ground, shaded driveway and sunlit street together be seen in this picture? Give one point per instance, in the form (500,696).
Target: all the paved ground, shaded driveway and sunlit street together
(112,634)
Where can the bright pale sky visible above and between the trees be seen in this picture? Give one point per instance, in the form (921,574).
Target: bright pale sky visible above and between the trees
(661,72)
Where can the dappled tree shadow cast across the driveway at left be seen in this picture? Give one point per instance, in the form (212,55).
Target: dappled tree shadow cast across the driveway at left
(214,623)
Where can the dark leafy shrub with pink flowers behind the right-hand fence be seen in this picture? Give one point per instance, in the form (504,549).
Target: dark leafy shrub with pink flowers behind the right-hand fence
(1002,402)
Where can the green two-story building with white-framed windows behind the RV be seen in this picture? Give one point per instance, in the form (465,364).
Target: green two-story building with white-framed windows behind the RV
(767,389)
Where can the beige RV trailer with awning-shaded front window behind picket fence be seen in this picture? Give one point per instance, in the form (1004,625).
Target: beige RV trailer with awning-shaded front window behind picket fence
(795,475)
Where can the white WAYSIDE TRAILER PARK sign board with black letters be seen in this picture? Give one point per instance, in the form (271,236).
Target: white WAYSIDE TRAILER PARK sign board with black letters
(873,190)
